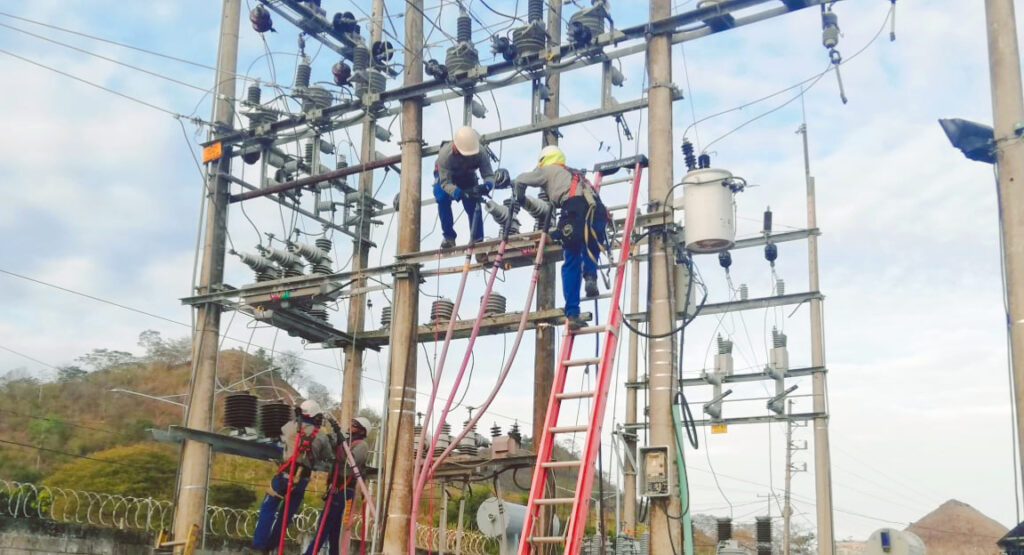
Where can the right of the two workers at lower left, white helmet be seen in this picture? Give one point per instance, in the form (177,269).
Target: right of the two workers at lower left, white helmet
(340,486)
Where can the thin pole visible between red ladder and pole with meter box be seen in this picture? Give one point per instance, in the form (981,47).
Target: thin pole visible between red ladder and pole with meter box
(629,471)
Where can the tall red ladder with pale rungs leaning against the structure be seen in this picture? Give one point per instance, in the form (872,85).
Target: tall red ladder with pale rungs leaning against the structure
(585,482)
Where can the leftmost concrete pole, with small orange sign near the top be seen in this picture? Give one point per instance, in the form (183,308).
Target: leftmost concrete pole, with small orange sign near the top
(194,475)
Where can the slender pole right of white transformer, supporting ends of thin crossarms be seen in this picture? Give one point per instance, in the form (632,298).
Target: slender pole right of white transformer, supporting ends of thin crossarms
(823,459)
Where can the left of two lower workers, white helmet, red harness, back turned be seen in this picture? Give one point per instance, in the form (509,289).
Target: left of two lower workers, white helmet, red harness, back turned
(305,447)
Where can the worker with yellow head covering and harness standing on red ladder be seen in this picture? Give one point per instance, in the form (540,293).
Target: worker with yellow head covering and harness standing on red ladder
(581,226)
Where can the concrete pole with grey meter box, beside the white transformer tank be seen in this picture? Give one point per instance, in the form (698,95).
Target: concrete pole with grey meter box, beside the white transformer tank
(665,529)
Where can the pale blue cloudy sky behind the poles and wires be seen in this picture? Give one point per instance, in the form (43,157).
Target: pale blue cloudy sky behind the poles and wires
(102,197)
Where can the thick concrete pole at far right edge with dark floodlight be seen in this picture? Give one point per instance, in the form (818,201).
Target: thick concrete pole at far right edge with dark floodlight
(1008,113)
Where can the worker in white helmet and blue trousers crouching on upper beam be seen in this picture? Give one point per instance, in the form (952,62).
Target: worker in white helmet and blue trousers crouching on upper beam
(455,179)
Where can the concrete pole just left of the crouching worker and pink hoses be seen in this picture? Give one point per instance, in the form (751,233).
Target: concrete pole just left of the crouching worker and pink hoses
(399,454)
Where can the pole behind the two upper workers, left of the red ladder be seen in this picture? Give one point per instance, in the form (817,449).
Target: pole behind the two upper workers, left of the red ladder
(544,354)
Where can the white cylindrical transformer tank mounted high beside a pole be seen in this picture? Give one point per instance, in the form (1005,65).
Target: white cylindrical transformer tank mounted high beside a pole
(710,211)
